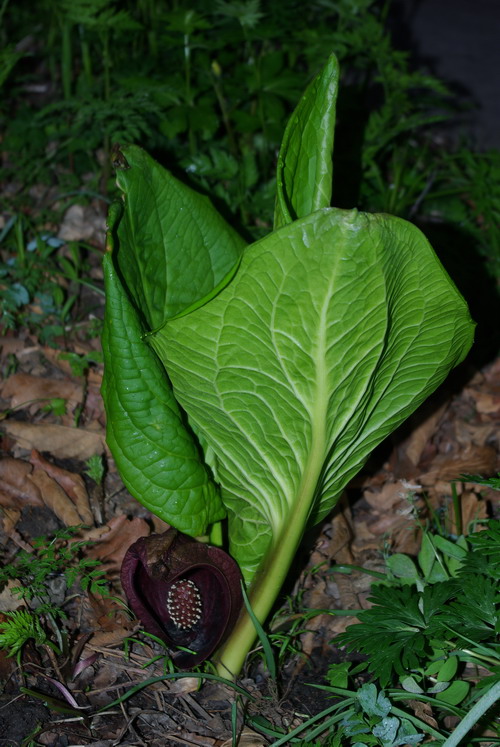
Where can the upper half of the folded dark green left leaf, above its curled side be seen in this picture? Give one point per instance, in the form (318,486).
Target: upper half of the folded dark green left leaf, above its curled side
(174,247)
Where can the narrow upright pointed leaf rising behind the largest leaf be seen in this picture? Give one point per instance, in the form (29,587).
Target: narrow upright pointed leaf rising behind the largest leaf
(304,173)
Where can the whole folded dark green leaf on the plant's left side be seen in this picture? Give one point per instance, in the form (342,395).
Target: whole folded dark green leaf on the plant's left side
(168,250)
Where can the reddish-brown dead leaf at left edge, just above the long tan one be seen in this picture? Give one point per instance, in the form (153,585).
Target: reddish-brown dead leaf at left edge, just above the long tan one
(33,392)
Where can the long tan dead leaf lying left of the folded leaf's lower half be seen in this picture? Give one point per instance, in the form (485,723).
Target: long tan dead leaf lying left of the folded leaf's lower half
(63,442)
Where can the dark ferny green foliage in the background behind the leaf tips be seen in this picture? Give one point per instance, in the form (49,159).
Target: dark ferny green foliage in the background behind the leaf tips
(210,88)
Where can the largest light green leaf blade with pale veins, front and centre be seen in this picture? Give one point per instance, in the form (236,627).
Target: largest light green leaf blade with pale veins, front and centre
(333,331)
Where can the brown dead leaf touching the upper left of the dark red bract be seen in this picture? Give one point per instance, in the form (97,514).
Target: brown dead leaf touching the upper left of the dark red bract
(113,540)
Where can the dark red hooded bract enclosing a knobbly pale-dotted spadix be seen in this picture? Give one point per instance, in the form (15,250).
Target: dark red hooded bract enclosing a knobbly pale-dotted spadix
(185,592)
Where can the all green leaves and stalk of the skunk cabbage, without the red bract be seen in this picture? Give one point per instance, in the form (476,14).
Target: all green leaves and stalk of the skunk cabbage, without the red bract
(250,383)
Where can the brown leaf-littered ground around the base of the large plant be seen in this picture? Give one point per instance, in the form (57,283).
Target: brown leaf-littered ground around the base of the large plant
(53,422)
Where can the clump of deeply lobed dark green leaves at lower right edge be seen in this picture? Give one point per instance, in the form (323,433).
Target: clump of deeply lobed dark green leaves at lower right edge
(424,629)
